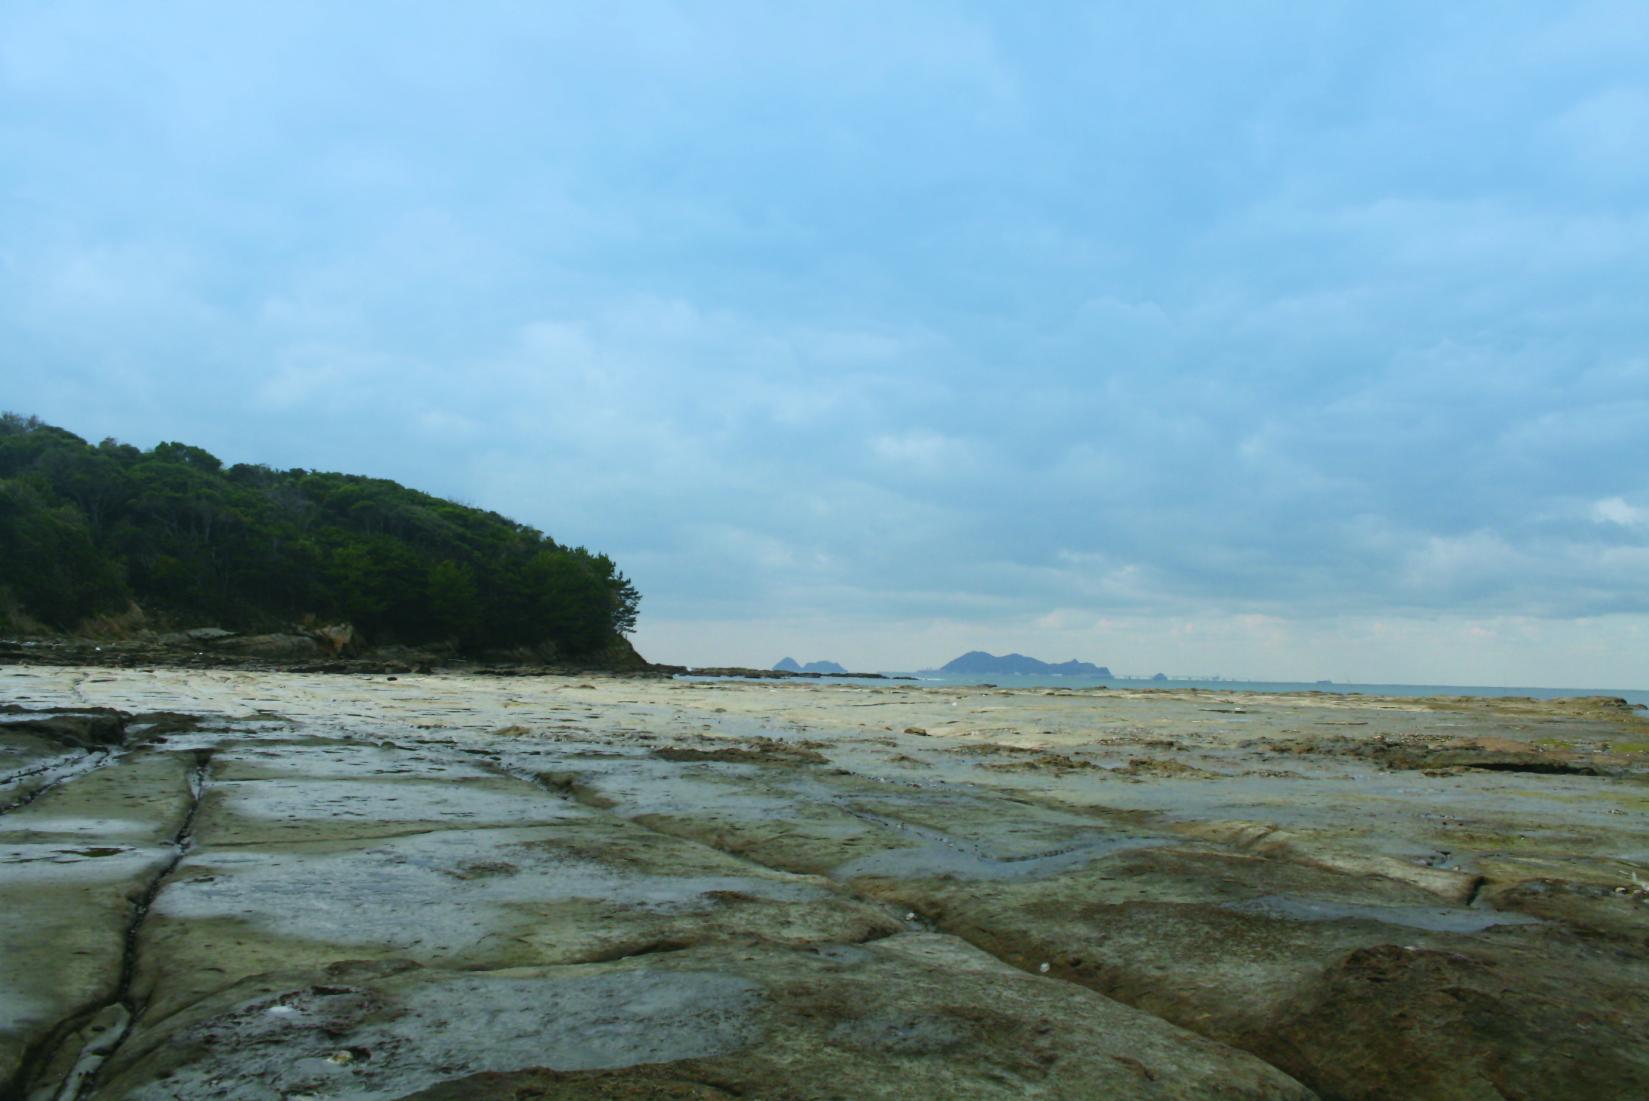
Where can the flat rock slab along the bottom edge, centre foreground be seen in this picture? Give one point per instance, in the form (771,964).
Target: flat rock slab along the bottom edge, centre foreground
(914,1016)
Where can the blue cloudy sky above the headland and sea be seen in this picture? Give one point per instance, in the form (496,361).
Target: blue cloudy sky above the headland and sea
(1261,340)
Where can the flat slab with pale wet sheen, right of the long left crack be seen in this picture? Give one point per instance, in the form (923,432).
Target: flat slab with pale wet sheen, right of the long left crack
(489,897)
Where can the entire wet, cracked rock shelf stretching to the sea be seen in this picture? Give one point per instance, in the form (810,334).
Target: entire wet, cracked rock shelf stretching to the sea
(233,884)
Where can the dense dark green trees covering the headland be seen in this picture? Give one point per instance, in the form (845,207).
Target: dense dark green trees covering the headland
(88,532)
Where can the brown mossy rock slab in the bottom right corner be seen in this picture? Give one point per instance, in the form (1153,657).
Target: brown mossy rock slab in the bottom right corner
(1426,1000)
